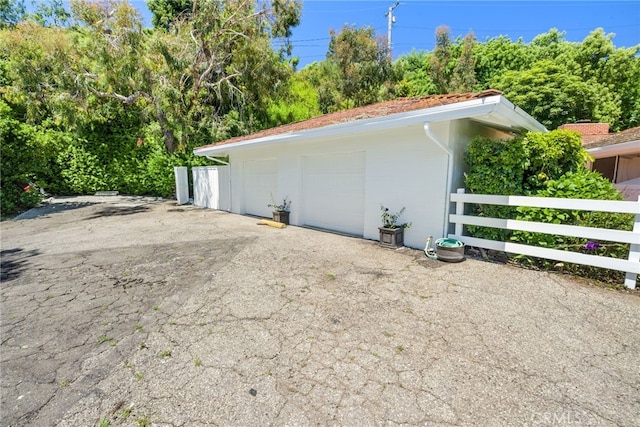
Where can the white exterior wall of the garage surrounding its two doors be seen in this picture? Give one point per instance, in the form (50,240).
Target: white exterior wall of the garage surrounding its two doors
(404,168)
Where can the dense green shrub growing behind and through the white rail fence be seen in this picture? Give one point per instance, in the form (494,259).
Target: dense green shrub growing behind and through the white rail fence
(544,165)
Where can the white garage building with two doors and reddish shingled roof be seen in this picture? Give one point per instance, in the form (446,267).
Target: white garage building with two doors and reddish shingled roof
(337,169)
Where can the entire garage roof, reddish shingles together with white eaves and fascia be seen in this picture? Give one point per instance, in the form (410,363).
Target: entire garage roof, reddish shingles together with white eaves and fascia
(488,106)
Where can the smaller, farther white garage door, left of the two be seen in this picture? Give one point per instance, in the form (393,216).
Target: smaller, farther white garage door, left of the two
(260,182)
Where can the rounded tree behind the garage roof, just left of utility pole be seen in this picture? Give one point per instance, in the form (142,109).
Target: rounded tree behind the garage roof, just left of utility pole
(363,63)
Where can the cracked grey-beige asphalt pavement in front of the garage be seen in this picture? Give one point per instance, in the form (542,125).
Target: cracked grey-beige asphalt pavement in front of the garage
(135,311)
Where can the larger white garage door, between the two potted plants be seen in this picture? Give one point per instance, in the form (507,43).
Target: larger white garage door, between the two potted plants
(333,192)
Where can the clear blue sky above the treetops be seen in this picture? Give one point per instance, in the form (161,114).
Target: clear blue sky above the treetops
(416,21)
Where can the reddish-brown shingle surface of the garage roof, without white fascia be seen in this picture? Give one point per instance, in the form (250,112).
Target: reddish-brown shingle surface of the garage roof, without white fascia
(400,105)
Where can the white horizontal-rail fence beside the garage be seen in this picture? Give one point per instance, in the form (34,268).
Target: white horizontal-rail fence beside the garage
(631,265)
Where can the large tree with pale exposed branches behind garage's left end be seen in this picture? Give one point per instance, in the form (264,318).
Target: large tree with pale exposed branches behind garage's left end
(195,79)
